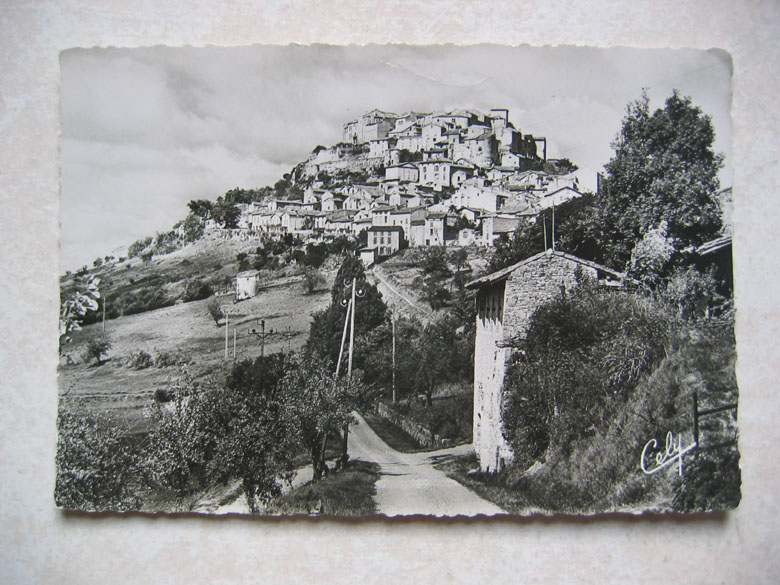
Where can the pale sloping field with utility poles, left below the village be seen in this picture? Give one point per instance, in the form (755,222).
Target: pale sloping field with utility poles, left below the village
(188,333)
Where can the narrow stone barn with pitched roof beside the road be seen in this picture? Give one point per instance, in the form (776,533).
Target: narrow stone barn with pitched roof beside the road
(505,302)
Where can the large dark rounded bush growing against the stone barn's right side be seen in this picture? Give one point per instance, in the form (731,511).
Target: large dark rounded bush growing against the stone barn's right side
(583,351)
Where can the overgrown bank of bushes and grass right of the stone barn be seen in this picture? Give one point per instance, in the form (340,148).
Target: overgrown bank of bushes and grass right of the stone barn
(600,374)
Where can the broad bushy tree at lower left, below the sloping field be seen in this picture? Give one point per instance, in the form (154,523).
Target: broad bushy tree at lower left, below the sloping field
(245,429)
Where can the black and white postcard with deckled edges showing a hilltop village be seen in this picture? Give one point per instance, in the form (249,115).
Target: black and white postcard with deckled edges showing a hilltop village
(396,280)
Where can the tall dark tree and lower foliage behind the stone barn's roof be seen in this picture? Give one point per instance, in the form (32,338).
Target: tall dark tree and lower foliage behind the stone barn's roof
(663,175)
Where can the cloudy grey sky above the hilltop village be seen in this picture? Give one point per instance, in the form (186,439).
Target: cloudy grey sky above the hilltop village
(145,130)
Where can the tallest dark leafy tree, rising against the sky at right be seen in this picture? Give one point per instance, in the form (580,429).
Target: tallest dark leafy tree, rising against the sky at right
(664,169)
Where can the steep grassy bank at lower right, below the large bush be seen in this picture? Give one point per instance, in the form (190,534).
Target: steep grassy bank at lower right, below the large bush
(602,473)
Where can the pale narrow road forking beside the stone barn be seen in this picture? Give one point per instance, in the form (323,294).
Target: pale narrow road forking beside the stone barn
(410,484)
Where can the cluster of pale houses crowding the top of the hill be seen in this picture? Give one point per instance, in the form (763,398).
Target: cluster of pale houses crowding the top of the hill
(433,179)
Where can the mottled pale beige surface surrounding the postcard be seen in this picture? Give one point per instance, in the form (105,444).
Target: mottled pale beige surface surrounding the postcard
(39,544)
